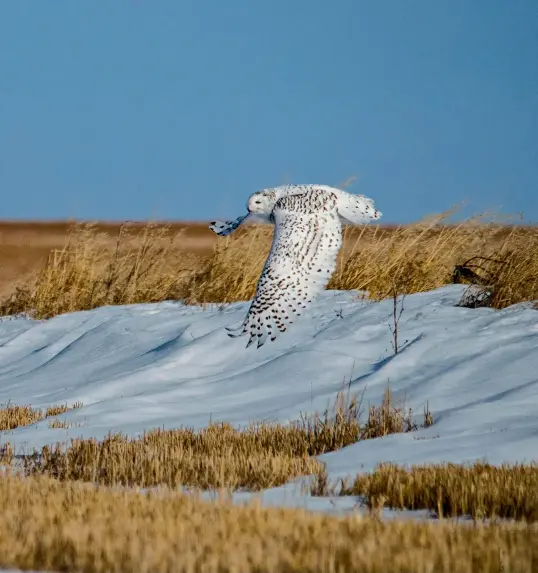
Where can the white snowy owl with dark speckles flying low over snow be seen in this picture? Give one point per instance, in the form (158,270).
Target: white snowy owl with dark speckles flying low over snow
(307,237)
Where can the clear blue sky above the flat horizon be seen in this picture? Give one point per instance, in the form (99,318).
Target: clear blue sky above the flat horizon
(117,109)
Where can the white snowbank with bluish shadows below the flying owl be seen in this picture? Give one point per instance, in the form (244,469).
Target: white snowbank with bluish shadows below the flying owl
(139,367)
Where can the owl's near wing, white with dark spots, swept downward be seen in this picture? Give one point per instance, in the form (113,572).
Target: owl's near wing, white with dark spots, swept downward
(306,241)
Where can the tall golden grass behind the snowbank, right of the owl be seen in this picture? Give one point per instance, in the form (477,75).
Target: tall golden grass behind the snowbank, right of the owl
(424,256)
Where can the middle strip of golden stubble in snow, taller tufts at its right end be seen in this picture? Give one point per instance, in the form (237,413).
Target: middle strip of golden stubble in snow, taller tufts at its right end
(220,456)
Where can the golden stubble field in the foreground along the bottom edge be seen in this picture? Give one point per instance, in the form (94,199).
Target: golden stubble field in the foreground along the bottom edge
(48,525)
